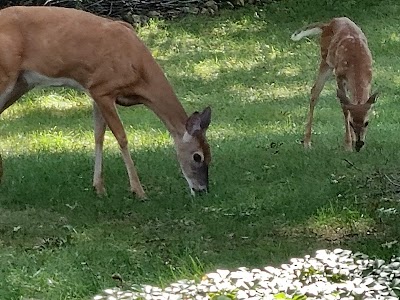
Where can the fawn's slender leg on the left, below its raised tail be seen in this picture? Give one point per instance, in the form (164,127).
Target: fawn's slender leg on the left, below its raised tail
(323,74)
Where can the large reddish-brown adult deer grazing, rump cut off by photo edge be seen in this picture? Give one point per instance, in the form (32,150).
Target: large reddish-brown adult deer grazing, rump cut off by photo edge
(53,46)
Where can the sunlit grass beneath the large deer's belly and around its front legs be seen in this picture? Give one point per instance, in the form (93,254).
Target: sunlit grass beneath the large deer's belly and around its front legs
(56,134)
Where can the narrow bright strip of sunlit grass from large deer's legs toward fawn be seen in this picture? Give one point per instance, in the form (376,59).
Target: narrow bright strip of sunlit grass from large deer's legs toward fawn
(55,140)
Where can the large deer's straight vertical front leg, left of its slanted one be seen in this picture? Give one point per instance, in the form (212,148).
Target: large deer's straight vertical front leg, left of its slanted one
(99,131)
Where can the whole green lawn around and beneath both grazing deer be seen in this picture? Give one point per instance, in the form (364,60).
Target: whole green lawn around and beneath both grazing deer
(270,200)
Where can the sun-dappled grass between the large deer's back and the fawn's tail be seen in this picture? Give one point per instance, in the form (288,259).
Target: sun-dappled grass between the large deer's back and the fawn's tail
(233,54)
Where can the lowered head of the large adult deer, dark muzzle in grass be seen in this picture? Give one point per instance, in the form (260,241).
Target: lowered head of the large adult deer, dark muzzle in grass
(193,151)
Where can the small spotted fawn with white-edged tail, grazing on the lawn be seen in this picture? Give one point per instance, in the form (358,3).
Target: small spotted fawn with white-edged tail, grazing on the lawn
(344,50)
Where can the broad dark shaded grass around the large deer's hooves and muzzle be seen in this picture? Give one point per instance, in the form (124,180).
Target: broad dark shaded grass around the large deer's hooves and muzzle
(277,190)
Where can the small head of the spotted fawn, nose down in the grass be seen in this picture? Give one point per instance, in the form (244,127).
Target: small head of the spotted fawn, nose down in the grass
(357,117)
